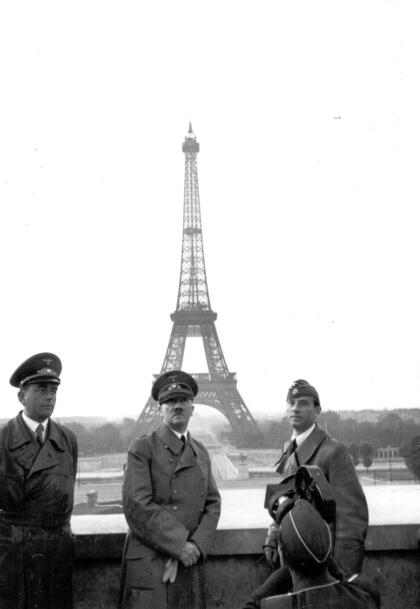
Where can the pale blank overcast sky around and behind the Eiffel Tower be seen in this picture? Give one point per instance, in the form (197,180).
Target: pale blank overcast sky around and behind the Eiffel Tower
(307,115)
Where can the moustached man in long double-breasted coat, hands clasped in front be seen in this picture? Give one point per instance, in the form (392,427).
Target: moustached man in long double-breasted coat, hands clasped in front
(171,504)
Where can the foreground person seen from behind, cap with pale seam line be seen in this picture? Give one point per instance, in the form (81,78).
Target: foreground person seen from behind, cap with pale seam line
(306,543)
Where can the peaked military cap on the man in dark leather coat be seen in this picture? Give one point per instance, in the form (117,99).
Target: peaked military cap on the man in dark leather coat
(42,367)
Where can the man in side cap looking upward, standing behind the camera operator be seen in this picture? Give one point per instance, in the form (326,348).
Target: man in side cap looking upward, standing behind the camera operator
(311,445)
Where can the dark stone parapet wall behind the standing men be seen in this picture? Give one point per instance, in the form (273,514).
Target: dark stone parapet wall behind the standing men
(235,567)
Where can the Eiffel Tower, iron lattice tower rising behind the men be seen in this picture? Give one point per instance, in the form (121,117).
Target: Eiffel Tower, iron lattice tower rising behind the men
(194,317)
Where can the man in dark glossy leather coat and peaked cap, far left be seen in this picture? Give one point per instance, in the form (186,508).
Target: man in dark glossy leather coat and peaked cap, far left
(38,462)
